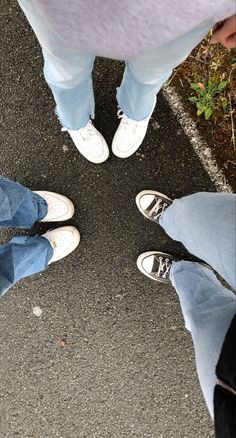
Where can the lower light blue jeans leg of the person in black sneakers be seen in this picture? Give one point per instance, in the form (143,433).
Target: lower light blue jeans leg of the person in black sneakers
(208,309)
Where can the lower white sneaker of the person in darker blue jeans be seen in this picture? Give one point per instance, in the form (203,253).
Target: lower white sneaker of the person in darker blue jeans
(63,240)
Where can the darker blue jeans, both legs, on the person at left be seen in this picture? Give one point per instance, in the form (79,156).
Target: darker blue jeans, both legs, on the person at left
(23,255)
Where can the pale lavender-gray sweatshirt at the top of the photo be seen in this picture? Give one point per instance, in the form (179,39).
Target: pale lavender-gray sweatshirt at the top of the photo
(122,29)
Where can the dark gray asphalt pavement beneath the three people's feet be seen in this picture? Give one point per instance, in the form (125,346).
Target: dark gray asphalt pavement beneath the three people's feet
(109,357)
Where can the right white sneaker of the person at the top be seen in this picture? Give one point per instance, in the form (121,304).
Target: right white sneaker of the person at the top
(129,135)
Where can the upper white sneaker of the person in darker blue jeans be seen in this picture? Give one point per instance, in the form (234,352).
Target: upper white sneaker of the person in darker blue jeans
(60,208)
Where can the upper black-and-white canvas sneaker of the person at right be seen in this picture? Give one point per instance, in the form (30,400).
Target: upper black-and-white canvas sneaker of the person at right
(152,204)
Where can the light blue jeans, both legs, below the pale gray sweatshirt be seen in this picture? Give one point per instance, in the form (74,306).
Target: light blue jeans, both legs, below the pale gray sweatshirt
(69,72)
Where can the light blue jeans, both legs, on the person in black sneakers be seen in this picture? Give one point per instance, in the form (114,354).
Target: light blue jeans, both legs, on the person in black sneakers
(206,225)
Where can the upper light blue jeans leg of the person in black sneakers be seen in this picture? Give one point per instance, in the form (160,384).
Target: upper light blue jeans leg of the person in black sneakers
(206,225)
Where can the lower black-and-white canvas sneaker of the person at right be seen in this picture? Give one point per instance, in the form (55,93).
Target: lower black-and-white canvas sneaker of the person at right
(156,265)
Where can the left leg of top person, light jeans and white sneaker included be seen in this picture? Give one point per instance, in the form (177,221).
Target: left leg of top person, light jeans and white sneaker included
(69,75)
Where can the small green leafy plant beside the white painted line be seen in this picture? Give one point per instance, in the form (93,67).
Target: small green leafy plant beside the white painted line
(205,94)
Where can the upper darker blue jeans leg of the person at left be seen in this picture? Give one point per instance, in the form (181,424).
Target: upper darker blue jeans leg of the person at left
(19,206)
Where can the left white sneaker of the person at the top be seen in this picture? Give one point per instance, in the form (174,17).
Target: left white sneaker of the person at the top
(90,143)
